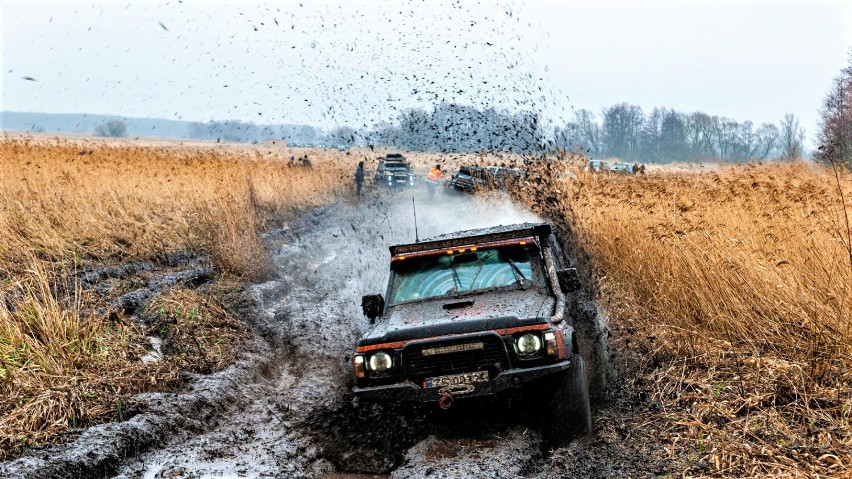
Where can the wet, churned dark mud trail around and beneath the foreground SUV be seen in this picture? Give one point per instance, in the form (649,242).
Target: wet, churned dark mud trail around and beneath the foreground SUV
(283,410)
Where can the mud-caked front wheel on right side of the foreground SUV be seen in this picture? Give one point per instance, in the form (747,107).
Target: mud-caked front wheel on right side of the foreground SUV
(569,413)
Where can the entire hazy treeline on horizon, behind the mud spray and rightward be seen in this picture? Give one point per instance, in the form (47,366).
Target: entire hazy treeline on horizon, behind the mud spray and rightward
(622,130)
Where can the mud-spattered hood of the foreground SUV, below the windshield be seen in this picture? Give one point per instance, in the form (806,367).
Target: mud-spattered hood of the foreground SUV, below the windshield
(489,311)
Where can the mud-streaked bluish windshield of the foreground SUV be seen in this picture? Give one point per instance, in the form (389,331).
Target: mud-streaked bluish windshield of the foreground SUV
(450,275)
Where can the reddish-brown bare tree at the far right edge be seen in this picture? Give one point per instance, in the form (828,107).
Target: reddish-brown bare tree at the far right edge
(835,123)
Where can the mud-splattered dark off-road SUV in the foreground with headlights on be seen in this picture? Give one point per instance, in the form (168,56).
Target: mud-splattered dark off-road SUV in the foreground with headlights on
(474,314)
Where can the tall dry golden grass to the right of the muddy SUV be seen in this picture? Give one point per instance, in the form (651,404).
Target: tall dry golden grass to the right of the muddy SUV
(738,283)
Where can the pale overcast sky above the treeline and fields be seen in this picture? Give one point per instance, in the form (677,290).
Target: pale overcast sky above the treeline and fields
(358,63)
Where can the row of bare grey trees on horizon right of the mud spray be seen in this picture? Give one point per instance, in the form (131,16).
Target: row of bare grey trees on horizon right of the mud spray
(665,135)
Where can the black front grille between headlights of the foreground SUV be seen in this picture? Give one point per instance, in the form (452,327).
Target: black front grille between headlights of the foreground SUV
(417,366)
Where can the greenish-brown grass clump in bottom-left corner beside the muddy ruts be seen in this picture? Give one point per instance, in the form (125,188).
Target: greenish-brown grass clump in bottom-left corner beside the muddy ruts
(63,365)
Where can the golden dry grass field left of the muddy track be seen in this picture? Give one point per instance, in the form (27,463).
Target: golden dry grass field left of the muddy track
(67,204)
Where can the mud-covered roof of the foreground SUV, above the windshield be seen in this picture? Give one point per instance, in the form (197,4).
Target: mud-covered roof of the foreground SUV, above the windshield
(475,236)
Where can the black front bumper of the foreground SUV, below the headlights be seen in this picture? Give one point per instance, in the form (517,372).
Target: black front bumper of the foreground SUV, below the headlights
(512,379)
